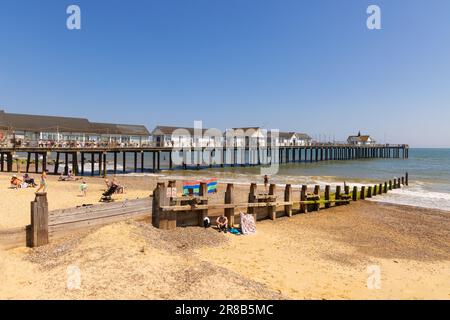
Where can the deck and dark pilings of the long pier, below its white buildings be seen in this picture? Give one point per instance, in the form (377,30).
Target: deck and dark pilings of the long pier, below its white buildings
(192,156)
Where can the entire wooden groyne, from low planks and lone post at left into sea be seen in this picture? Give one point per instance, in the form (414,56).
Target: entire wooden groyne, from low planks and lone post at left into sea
(168,211)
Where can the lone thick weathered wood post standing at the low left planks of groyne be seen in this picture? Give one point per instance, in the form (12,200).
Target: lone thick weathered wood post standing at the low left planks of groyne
(39,220)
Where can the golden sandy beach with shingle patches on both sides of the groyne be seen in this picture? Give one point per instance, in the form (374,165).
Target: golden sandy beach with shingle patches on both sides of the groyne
(323,255)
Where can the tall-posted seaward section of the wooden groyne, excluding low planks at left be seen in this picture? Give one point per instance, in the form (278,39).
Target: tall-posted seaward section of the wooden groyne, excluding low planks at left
(170,212)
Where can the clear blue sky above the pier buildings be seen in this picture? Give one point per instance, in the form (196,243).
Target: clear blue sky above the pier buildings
(309,66)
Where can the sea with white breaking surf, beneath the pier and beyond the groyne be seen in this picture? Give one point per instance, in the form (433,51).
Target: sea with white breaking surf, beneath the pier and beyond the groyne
(428,169)
